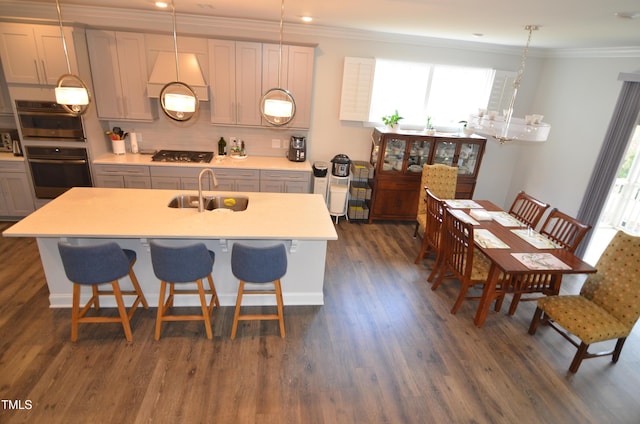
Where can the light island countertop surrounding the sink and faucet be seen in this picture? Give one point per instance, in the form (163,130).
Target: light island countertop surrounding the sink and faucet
(137,213)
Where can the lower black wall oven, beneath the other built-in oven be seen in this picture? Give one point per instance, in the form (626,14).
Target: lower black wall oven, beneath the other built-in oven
(57,169)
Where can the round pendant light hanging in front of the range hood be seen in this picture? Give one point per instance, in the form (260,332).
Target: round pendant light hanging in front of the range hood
(178,101)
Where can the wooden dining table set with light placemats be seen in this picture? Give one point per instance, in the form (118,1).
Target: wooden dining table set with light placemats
(504,253)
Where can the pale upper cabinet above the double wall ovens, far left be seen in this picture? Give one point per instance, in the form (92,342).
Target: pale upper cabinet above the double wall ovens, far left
(34,54)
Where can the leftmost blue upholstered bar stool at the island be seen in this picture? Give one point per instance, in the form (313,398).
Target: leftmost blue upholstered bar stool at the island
(95,265)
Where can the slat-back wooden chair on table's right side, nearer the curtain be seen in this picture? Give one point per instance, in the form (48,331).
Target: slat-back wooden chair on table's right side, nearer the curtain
(567,232)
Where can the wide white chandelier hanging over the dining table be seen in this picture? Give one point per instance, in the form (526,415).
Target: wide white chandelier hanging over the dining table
(507,128)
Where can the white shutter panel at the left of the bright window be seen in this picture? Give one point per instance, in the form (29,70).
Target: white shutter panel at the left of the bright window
(357,86)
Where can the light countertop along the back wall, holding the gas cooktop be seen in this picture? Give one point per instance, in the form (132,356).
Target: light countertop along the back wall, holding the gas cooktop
(251,162)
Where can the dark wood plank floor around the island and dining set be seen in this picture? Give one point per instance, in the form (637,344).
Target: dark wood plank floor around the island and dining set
(383,349)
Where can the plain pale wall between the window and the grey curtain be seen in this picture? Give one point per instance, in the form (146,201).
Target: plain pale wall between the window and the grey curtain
(578,96)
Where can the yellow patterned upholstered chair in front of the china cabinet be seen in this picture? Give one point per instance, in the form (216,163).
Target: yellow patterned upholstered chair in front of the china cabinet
(442,180)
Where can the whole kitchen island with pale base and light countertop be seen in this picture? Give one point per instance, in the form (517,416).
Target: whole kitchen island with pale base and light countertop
(132,217)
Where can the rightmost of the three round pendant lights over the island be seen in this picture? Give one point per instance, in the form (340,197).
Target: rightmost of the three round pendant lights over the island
(277,105)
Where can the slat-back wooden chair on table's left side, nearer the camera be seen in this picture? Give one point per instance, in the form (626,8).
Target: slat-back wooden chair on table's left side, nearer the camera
(460,260)
